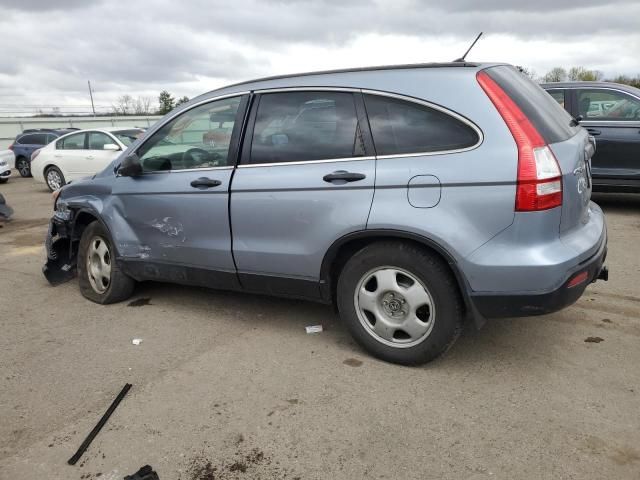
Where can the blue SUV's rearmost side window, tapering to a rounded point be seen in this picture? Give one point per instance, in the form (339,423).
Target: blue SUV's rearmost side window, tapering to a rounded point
(404,127)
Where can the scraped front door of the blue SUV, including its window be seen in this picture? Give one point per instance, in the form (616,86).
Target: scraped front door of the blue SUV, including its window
(174,217)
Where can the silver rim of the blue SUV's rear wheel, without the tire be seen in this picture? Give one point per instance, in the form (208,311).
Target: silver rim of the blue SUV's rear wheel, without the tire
(394,307)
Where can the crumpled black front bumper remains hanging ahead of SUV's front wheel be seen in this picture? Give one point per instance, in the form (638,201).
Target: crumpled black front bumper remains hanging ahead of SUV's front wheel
(61,257)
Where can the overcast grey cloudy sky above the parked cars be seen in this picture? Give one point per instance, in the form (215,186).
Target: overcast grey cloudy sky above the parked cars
(50,48)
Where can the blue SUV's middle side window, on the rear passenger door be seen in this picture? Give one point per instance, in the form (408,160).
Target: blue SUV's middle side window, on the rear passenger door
(302,126)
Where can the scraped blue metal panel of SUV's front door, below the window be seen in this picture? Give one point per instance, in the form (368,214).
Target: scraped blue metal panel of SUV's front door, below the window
(167,220)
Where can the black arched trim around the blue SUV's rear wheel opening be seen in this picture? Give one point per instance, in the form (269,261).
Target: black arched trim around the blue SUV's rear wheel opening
(349,248)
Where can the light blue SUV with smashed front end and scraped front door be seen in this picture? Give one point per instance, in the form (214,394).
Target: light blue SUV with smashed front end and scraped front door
(411,197)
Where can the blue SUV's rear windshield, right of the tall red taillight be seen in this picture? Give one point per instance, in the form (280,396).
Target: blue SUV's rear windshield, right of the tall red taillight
(546,114)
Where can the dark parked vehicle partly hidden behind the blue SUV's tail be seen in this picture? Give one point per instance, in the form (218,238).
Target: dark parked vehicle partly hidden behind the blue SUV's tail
(611,113)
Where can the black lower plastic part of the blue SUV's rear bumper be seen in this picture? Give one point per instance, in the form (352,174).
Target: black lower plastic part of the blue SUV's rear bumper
(522,305)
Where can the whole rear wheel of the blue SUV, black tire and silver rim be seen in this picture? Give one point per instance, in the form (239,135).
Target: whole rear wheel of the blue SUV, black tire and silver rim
(400,302)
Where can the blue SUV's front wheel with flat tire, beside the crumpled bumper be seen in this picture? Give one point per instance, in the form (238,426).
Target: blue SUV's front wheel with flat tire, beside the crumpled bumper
(99,277)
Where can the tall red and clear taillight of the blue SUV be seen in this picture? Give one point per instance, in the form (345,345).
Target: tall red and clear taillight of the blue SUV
(539,184)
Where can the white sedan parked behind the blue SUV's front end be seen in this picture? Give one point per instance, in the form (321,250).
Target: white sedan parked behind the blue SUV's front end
(80,154)
